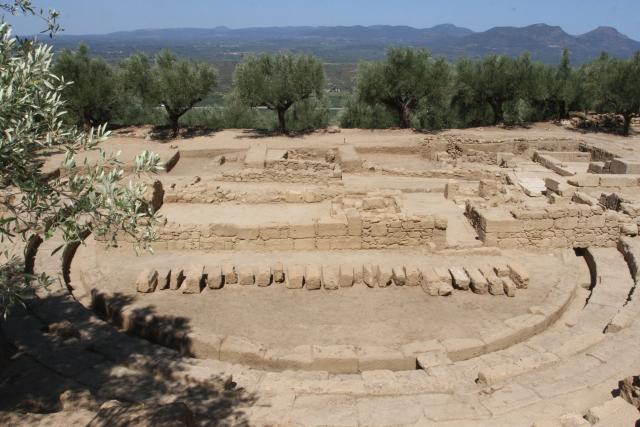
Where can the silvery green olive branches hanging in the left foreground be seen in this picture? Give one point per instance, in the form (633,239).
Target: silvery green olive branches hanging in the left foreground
(86,197)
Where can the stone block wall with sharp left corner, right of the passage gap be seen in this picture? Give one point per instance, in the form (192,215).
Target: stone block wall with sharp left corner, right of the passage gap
(566,226)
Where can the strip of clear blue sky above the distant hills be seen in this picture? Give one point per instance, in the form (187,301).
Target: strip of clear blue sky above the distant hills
(103,16)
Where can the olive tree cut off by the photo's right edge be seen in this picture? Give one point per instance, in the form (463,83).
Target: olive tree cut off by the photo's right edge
(615,86)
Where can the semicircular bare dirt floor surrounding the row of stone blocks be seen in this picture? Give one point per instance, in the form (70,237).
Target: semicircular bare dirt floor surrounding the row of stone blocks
(276,316)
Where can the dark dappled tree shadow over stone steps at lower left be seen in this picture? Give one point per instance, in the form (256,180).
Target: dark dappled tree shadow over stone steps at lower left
(108,363)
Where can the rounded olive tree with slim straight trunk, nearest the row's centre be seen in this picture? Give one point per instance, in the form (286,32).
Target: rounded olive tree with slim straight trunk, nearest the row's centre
(277,82)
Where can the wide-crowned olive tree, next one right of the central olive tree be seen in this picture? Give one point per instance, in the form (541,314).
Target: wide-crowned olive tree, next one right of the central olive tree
(405,79)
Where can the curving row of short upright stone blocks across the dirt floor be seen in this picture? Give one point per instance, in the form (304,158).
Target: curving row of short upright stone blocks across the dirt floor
(501,279)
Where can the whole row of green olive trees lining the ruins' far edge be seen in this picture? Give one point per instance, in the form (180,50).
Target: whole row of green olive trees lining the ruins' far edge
(409,88)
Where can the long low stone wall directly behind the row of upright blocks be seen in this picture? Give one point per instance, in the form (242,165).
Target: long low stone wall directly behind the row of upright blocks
(349,231)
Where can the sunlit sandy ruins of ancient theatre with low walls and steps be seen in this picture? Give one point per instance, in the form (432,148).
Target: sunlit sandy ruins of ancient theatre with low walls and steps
(473,277)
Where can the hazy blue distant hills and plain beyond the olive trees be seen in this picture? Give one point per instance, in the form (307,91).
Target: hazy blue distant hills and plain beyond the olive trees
(342,47)
